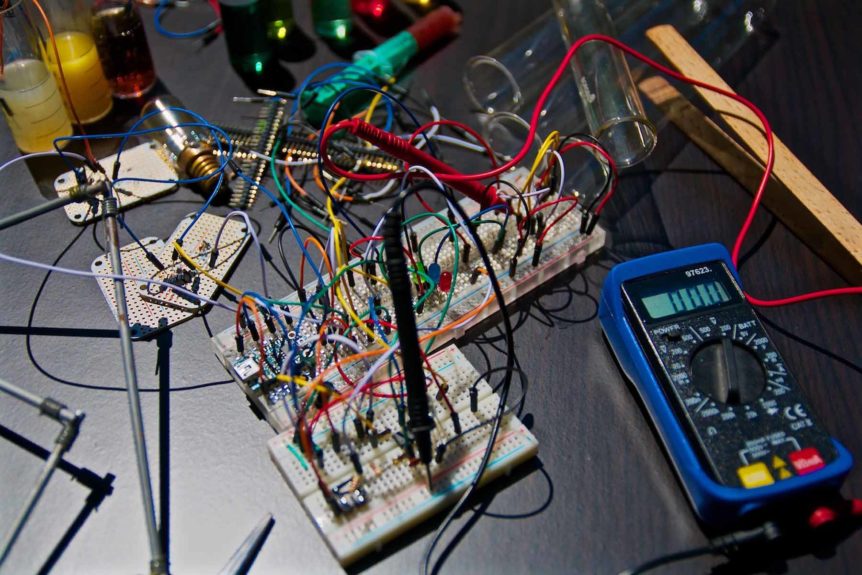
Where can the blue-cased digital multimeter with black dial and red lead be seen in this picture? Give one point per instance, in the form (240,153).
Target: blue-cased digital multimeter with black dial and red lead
(737,429)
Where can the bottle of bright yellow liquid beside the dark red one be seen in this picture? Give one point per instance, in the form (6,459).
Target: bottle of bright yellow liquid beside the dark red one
(88,87)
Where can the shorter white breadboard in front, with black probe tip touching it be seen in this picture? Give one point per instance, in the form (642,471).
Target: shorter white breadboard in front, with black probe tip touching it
(393,495)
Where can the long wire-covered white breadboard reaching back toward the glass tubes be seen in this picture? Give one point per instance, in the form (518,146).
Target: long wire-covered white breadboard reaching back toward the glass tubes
(454,305)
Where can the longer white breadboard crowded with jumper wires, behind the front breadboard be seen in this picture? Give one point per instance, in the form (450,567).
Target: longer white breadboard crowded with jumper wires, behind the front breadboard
(564,247)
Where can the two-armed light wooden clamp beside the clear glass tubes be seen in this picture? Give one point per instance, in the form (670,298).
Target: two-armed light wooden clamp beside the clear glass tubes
(794,195)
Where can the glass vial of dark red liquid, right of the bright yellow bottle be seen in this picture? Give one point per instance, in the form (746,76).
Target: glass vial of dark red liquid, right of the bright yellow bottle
(122,45)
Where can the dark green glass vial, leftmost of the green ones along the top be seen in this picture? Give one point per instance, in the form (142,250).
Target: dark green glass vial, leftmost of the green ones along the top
(245,31)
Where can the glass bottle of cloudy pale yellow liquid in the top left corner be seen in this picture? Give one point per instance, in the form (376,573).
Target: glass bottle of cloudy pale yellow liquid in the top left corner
(28,92)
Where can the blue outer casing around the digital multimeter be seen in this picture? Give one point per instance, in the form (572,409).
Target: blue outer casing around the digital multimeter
(715,503)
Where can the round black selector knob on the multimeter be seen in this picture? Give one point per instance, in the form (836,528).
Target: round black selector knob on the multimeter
(728,372)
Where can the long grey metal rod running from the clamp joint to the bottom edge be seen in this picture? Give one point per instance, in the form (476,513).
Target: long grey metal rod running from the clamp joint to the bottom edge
(157,556)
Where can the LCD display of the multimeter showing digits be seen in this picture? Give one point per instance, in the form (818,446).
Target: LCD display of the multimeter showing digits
(681,291)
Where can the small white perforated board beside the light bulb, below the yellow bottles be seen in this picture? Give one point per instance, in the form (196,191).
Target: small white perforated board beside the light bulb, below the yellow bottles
(142,161)
